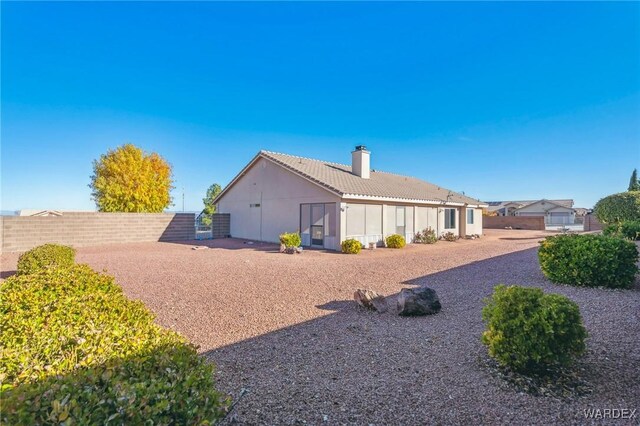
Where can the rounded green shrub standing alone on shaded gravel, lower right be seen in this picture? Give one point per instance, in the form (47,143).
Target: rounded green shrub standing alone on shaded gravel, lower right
(529,331)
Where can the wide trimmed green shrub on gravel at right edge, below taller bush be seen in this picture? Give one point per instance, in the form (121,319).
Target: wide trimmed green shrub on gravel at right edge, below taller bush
(589,260)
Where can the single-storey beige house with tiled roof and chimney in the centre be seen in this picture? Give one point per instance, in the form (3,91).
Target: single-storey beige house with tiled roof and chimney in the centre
(329,202)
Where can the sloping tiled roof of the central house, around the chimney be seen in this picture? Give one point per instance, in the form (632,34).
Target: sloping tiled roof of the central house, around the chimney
(338,178)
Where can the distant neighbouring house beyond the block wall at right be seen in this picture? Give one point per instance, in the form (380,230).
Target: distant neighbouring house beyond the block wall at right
(555,212)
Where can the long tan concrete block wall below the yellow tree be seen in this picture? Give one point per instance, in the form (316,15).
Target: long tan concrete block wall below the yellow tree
(21,233)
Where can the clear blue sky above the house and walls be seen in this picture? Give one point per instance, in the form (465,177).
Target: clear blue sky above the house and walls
(499,100)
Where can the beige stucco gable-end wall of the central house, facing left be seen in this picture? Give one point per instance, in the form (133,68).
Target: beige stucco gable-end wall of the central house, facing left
(279,193)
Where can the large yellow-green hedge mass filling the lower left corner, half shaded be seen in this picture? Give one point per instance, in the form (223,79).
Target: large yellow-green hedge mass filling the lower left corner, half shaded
(76,350)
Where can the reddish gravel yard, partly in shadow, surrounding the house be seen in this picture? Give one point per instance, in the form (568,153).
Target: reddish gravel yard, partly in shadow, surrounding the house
(285,328)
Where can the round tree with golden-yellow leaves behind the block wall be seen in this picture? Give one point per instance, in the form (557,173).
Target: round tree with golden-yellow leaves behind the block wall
(127,179)
